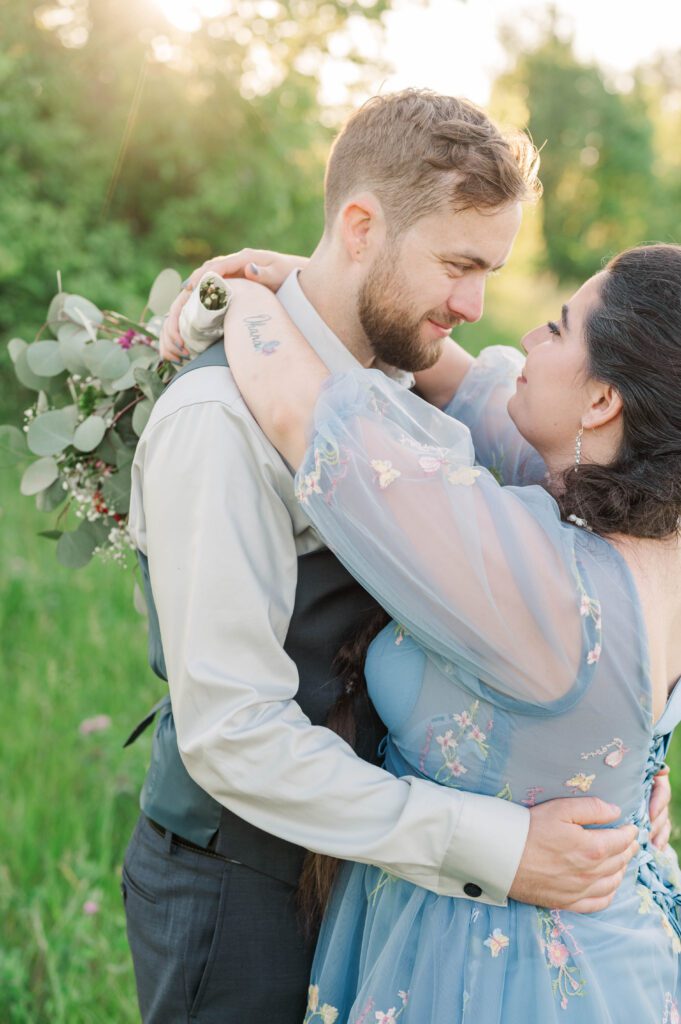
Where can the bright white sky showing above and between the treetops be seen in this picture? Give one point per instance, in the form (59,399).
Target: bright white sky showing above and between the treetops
(453,46)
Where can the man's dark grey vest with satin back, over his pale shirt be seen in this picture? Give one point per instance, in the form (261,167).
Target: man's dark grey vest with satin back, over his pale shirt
(330,608)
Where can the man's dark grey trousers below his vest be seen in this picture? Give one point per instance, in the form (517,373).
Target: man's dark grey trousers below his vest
(212,942)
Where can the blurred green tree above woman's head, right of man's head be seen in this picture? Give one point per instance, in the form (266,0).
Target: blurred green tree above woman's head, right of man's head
(598,154)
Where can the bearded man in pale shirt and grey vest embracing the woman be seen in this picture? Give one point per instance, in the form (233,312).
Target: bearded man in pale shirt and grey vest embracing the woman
(422,202)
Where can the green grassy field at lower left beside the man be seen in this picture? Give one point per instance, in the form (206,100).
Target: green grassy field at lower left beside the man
(73,648)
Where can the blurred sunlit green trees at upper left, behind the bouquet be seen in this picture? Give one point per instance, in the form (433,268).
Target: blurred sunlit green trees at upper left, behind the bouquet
(127,146)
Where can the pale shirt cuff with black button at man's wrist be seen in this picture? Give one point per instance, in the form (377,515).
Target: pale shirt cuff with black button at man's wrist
(486,849)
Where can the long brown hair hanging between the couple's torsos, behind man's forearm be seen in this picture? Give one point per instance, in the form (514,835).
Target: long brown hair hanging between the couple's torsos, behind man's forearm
(353,707)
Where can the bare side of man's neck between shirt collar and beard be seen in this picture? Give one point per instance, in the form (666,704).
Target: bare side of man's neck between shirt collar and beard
(327,287)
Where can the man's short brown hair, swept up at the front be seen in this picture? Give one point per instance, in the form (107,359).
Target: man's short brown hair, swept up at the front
(418,152)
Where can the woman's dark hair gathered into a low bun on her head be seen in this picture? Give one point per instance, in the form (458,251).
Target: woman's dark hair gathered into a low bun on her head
(633,340)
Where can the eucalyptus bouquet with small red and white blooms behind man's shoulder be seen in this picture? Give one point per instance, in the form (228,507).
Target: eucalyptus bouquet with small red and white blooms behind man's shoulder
(97,376)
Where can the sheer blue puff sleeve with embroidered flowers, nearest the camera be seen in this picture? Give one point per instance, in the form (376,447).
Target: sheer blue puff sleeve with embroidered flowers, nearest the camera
(486,578)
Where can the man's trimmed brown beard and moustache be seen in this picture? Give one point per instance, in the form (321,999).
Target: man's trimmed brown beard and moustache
(395,332)
